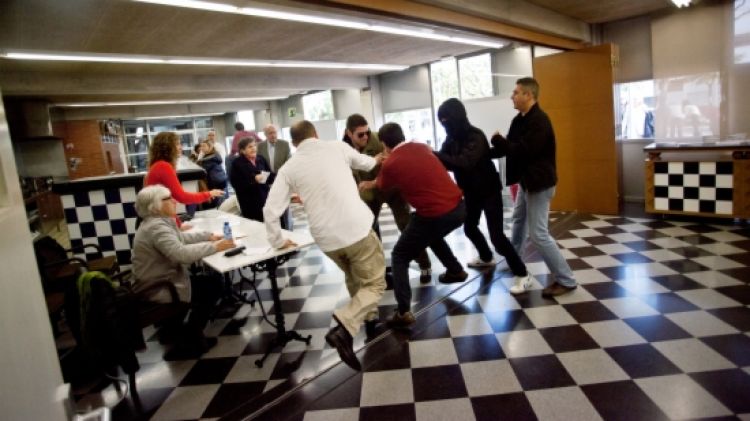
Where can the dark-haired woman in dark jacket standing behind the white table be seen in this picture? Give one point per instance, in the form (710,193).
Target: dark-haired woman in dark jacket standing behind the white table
(248,178)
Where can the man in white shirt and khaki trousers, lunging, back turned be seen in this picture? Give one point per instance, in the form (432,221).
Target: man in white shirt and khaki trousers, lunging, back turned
(341,224)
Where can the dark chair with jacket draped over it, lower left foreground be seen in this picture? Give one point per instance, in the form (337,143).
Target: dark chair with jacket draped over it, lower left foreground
(114,322)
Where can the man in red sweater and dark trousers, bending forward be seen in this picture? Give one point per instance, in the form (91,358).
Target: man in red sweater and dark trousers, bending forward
(413,170)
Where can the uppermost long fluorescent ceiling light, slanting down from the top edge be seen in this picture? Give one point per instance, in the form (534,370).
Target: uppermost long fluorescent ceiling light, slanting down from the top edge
(349,22)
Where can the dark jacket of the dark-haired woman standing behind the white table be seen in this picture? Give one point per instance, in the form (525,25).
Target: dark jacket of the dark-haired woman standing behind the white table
(250,194)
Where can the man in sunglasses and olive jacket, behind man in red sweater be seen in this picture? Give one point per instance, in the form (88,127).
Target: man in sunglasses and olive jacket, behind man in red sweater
(359,136)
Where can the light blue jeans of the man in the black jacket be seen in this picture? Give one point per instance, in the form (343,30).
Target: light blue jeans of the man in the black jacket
(530,219)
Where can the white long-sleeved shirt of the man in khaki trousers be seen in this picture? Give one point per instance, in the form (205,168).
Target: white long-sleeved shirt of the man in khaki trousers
(320,172)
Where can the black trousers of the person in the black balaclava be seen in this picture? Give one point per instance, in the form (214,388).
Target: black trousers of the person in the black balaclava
(492,206)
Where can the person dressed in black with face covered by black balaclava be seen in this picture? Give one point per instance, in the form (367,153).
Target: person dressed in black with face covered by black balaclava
(466,152)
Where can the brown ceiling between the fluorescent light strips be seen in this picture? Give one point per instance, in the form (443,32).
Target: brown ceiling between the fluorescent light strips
(129,27)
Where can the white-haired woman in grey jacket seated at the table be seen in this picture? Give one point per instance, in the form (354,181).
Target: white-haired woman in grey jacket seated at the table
(161,252)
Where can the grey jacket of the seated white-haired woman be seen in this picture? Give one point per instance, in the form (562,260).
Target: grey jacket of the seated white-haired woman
(161,252)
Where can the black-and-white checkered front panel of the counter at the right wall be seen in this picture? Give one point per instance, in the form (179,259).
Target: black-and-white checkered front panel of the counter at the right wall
(705,187)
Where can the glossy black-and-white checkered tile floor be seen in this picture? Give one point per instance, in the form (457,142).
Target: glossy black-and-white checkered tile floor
(657,329)
